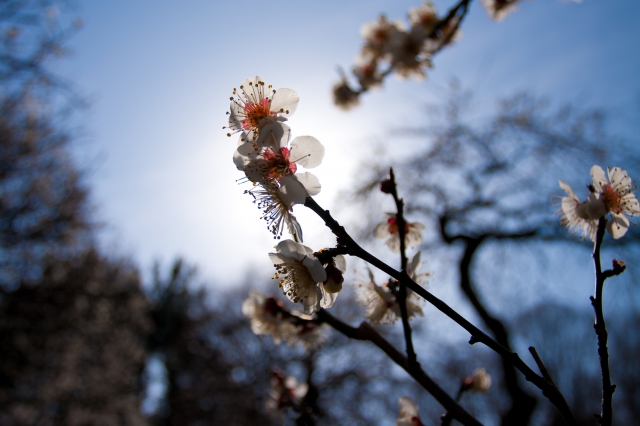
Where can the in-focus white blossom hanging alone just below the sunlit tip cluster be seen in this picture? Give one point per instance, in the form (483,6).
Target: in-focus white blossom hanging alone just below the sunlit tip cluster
(302,276)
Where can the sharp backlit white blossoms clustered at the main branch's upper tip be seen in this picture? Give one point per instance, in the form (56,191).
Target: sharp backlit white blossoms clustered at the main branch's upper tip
(267,156)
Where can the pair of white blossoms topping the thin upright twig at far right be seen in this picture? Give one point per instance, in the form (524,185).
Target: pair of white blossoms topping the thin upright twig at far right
(612,194)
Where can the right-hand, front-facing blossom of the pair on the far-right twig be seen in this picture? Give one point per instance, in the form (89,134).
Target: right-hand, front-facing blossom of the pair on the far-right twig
(617,194)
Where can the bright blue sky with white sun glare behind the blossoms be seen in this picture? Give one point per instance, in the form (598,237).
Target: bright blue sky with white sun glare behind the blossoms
(159,75)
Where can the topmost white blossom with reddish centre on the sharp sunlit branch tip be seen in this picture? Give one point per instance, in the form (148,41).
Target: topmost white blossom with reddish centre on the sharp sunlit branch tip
(255,104)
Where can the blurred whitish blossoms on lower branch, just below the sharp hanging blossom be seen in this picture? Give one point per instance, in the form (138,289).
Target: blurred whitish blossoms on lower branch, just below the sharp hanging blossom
(269,317)
